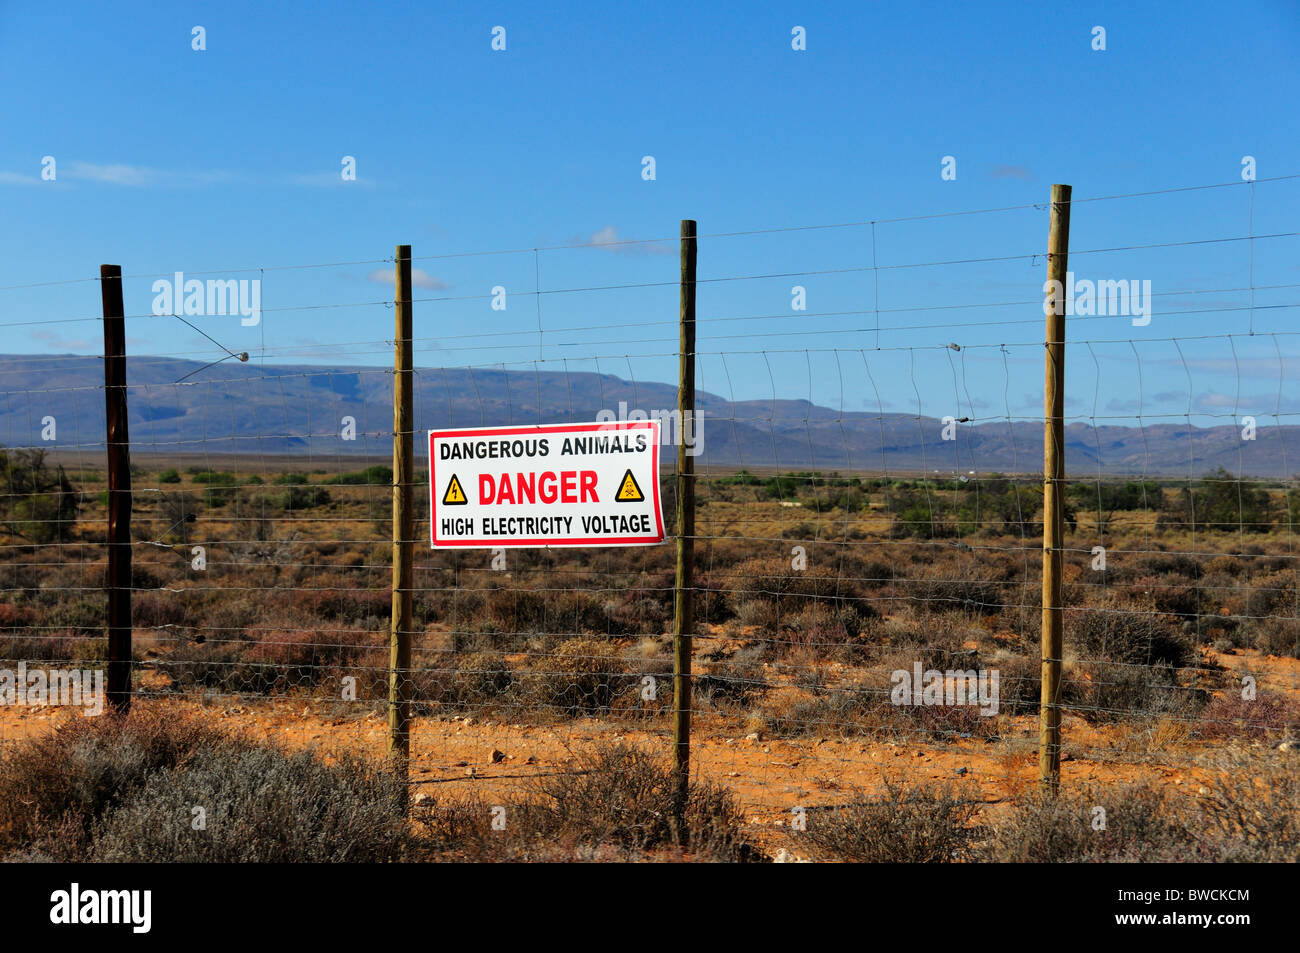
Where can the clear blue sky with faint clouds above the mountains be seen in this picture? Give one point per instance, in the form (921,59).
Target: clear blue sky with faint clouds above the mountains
(227,163)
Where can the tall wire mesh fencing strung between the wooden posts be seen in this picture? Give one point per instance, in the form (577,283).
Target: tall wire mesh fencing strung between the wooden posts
(869,504)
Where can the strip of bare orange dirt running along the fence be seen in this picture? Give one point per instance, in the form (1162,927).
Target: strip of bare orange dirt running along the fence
(458,756)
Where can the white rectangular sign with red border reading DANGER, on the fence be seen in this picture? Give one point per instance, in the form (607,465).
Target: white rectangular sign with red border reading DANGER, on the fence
(547,486)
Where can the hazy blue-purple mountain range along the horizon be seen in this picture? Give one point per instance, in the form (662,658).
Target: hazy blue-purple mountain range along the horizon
(301,410)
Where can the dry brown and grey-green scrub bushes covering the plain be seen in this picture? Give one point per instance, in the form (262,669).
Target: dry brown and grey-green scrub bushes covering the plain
(813,590)
